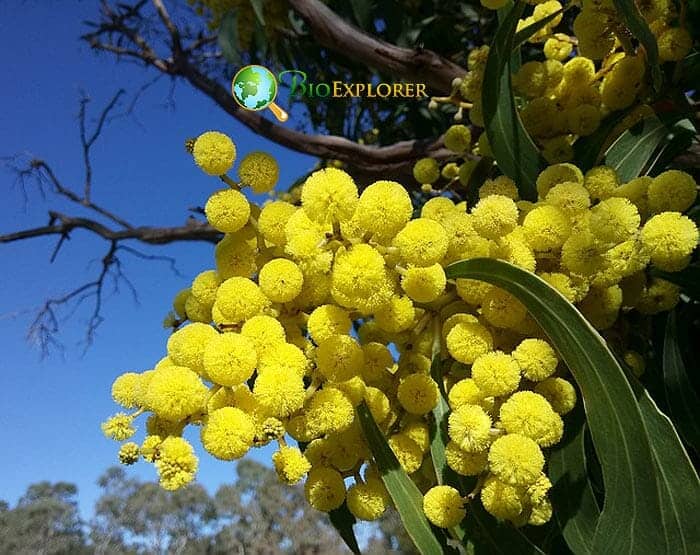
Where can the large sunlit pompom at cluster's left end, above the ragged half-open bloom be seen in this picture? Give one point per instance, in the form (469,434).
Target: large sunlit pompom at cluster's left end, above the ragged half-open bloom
(175,393)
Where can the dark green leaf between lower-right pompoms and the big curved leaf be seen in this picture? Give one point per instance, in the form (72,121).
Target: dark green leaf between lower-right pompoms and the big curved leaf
(576,508)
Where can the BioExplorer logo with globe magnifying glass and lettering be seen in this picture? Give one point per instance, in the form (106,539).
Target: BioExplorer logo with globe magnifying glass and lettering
(255,88)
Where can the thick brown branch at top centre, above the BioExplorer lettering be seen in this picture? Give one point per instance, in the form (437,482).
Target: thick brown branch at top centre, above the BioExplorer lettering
(340,36)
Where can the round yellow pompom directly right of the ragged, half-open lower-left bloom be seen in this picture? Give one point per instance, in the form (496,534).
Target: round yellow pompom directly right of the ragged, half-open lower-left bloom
(228,433)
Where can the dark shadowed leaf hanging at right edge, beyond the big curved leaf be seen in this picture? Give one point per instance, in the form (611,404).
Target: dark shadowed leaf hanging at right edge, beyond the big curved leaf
(683,401)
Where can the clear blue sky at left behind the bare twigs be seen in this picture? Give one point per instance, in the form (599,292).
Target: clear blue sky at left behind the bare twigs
(50,410)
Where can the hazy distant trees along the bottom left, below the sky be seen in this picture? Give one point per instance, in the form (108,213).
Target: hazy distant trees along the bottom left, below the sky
(255,515)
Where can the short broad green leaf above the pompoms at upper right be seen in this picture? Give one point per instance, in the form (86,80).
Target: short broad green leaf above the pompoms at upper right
(632,151)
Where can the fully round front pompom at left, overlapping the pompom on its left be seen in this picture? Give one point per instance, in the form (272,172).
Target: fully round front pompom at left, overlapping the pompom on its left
(229,359)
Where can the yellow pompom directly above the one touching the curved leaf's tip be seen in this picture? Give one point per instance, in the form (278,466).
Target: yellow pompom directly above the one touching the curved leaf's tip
(422,242)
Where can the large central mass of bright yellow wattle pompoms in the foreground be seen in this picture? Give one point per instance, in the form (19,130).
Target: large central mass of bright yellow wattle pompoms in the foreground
(314,307)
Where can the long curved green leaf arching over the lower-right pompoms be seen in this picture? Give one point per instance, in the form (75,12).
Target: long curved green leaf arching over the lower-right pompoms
(634,495)
